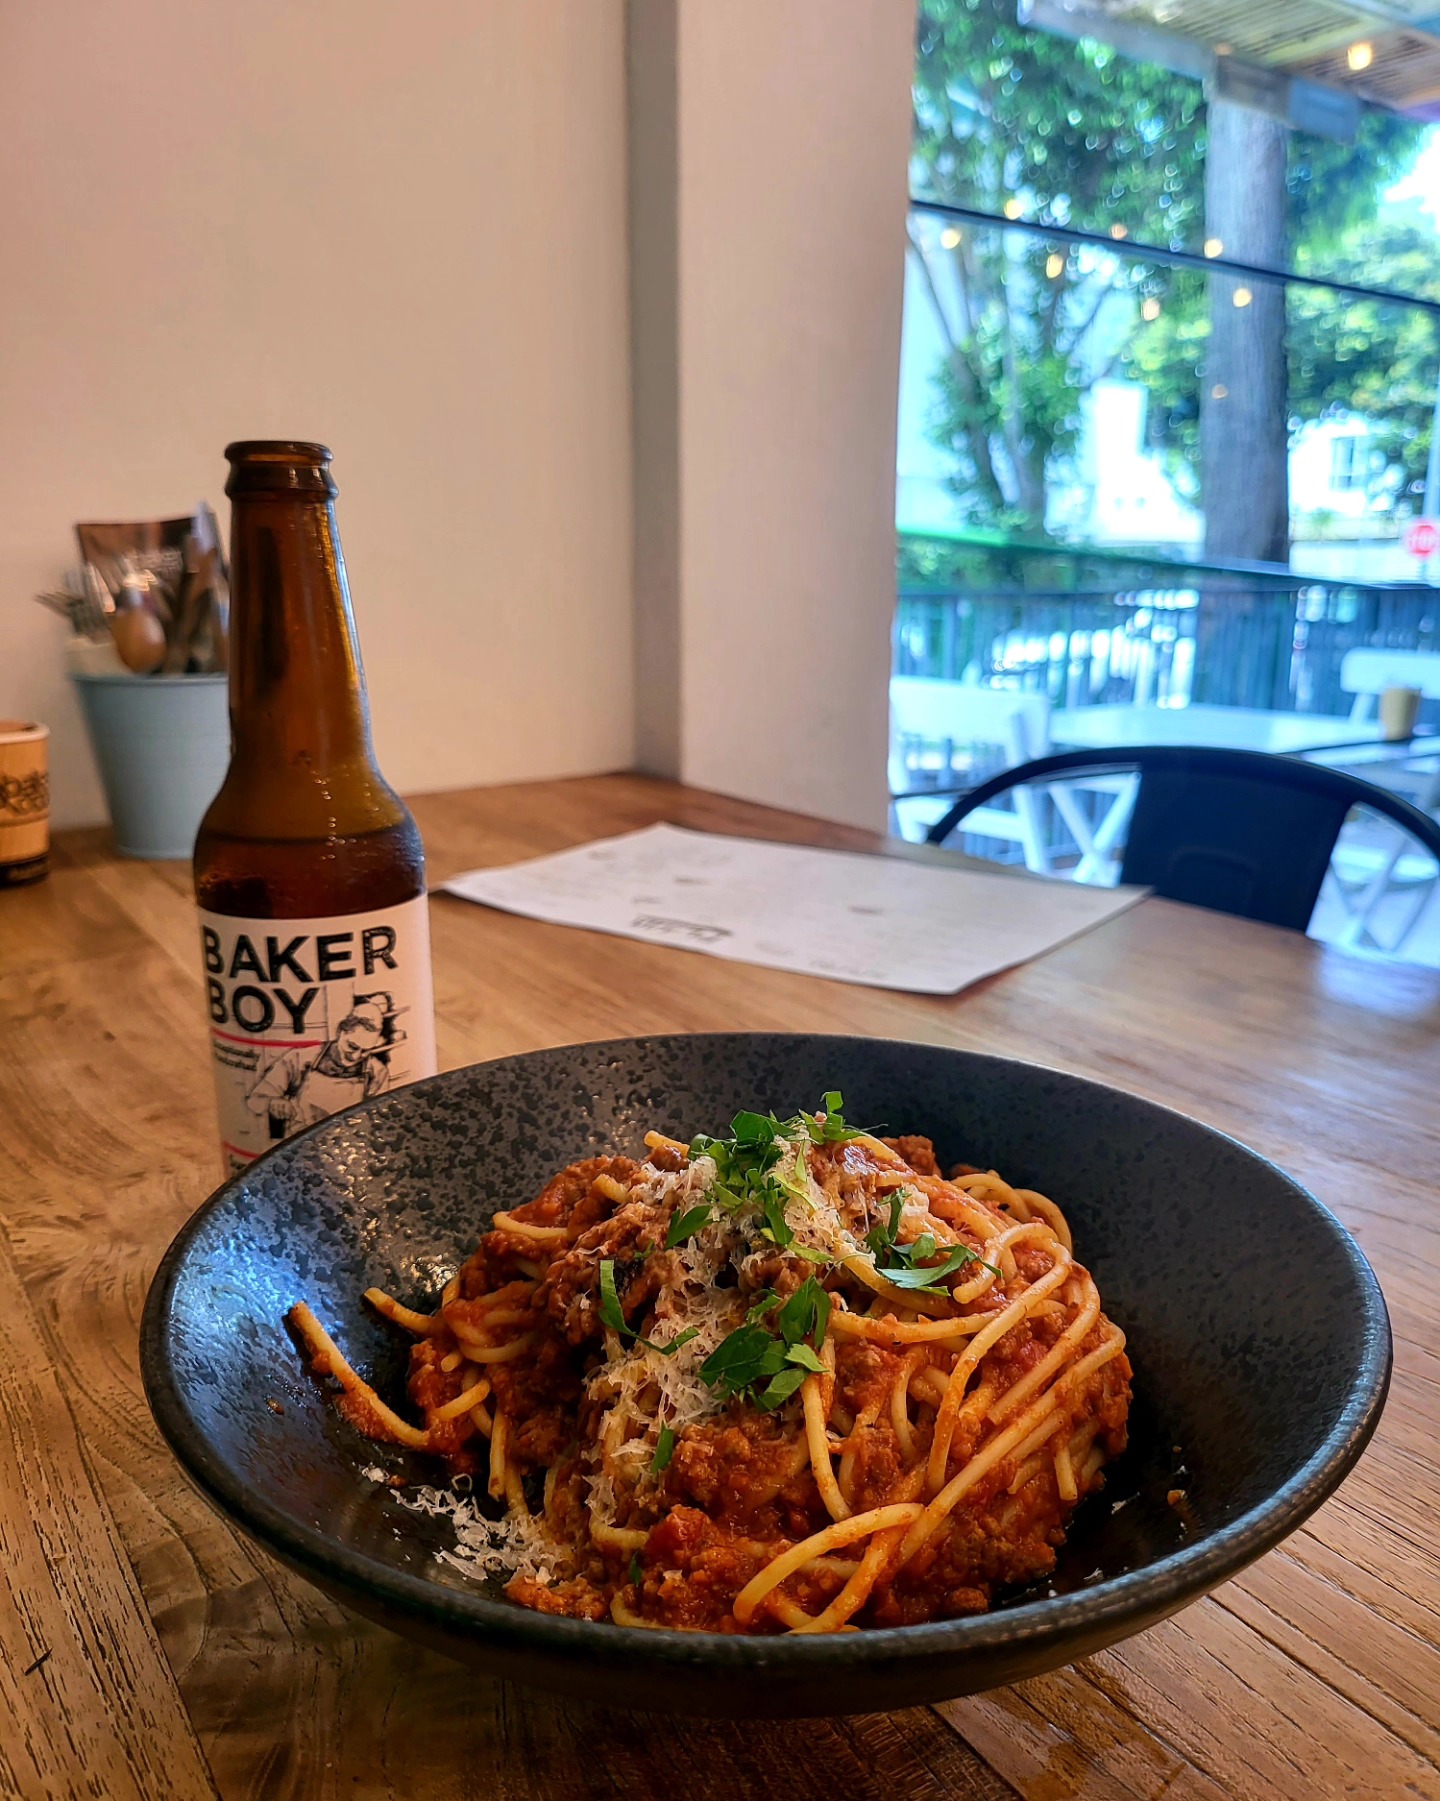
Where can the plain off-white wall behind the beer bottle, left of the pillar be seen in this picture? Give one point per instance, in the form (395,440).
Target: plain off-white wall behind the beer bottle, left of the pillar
(393,228)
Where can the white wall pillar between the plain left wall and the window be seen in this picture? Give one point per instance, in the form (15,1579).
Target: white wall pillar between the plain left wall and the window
(793,136)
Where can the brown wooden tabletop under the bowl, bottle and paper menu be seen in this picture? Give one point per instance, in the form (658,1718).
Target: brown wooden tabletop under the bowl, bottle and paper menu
(148,1651)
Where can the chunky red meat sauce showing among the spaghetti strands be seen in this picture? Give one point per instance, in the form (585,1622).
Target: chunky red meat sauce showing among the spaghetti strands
(739,1489)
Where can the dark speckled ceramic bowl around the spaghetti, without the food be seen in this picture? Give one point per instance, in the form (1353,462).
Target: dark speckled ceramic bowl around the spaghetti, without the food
(1257,1330)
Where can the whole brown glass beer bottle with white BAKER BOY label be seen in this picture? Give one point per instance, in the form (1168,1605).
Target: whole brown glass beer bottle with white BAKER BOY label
(309,867)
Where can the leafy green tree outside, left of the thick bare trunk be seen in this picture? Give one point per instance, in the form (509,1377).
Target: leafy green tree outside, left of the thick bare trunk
(1090,140)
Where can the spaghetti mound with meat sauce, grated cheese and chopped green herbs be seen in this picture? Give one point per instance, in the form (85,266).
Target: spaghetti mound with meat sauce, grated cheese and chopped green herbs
(793,1380)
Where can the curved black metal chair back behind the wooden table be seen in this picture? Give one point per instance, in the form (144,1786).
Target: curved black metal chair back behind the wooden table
(1234,831)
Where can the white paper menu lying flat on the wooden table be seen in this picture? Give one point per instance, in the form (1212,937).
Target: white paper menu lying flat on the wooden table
(877,921)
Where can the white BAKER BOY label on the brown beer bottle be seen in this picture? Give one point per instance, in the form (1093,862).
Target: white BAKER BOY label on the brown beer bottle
(312,1015)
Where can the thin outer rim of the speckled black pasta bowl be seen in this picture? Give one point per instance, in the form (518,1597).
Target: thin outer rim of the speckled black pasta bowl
(1137,1597)
